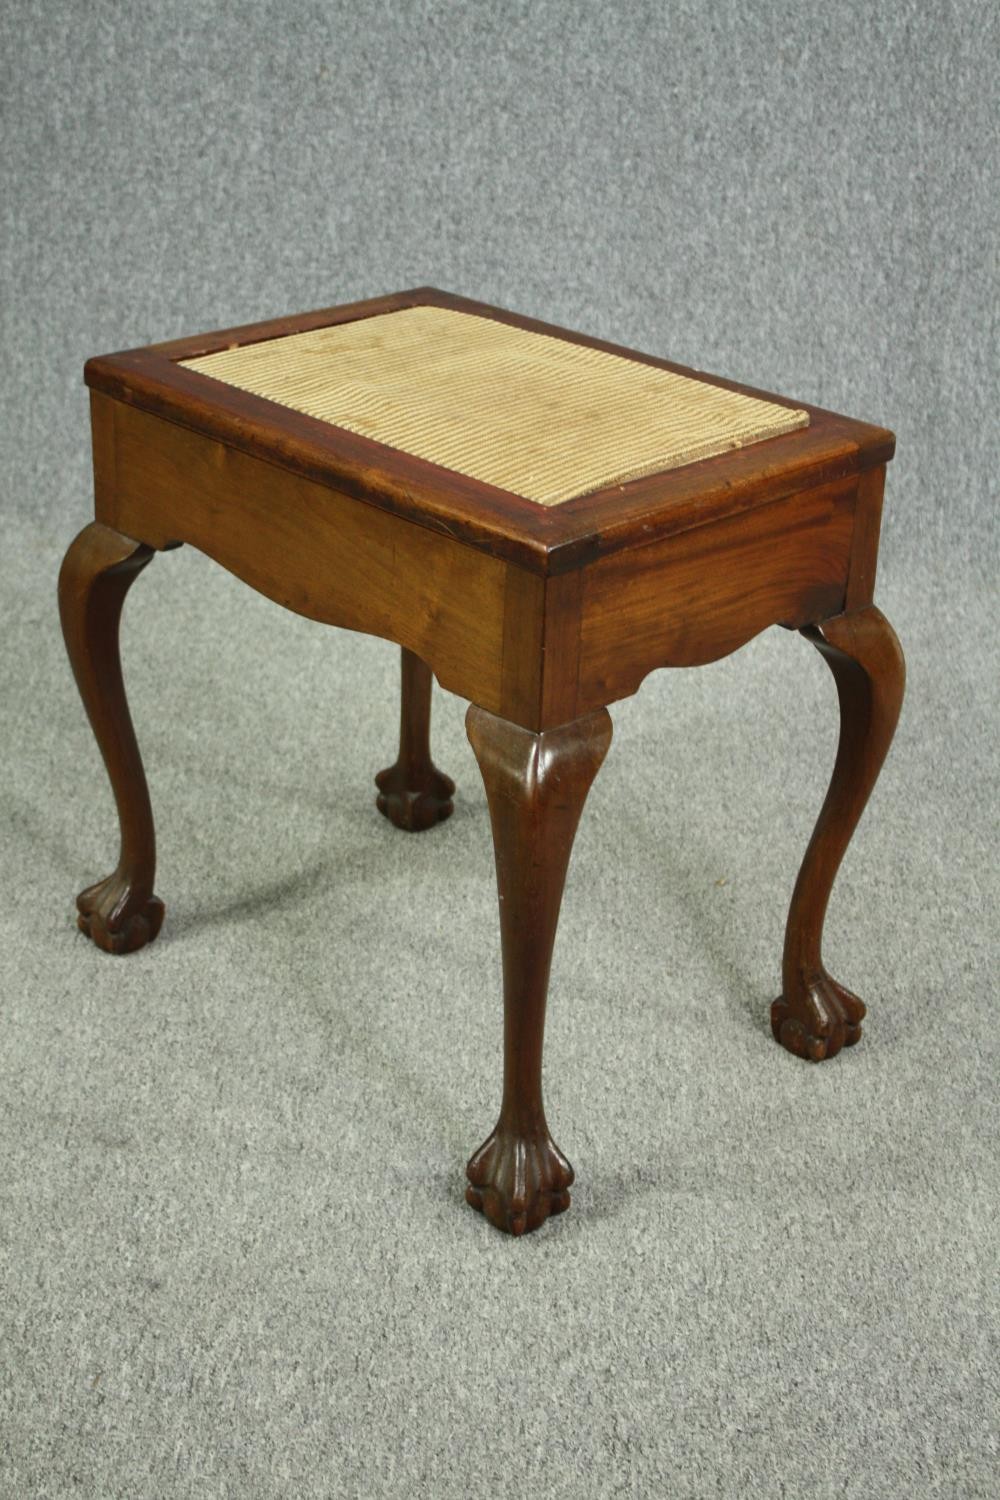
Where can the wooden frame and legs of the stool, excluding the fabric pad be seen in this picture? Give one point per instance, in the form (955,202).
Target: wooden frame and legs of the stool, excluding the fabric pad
(539,616)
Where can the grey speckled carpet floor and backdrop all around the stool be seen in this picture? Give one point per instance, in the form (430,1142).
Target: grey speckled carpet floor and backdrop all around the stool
(235,1258)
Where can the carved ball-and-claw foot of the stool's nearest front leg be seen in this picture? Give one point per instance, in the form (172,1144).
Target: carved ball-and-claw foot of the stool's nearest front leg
(518,1183)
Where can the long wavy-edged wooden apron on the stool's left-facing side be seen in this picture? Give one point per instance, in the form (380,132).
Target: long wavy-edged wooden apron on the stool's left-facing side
(307,547)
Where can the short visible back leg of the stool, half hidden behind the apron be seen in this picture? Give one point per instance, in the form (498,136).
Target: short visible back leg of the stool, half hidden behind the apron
(413,793)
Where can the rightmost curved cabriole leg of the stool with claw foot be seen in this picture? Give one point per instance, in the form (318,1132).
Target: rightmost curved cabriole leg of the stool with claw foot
(816,1016)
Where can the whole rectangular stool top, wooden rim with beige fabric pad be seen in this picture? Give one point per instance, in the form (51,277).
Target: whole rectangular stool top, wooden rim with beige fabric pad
(516,437)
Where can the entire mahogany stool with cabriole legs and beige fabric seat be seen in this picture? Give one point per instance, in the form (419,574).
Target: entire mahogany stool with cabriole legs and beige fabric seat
(539,520)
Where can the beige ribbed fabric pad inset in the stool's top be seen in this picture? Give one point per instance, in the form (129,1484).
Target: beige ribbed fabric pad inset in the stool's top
(530,413)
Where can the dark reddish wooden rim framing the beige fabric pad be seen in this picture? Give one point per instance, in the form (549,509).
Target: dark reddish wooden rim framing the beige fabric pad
(548,541)
